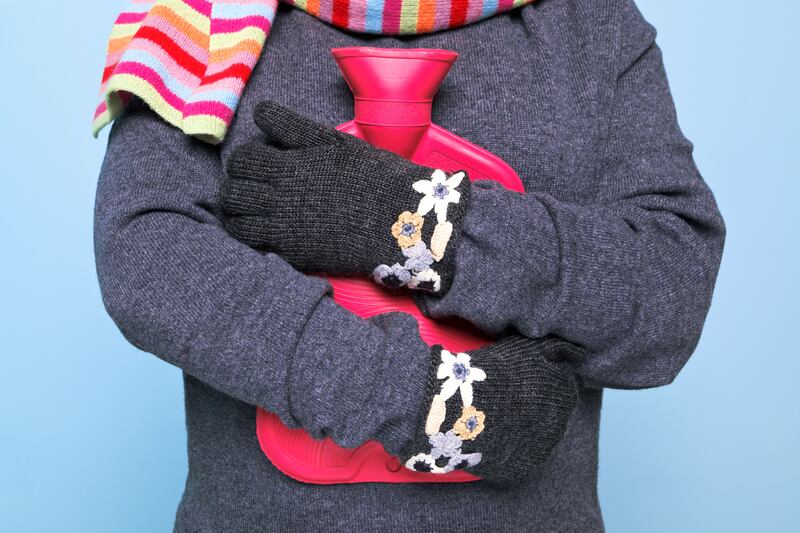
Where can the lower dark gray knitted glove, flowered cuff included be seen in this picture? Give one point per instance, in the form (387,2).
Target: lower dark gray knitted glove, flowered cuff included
(497,411)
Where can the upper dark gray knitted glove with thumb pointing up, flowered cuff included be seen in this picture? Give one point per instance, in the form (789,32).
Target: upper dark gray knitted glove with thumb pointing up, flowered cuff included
(328,202)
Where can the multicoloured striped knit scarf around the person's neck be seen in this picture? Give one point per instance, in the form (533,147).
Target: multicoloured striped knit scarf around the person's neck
(189,60)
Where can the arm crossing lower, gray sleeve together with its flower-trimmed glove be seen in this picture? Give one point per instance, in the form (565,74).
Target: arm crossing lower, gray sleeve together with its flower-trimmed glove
(254,328)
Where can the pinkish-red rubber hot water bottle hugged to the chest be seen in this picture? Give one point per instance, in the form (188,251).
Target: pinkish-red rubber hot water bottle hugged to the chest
(393,90)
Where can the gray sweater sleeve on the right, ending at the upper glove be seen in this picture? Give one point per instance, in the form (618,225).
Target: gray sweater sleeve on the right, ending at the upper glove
(629,275)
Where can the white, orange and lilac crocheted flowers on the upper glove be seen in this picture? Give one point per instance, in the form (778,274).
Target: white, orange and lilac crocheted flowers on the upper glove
(438,192)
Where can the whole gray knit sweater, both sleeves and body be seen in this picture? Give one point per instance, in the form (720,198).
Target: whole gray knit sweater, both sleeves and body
(615,247)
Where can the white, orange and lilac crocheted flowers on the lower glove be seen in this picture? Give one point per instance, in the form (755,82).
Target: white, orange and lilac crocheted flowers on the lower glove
(446,448)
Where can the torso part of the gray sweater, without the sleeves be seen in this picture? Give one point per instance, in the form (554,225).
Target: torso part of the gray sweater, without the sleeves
(525,88)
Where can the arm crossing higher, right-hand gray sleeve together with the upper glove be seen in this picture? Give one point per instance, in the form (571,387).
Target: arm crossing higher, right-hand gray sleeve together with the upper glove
(627,274)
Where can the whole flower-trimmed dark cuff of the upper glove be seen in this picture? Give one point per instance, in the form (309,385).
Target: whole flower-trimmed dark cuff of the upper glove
(426,237)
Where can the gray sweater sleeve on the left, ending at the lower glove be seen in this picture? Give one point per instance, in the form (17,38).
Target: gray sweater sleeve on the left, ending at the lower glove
(245,323)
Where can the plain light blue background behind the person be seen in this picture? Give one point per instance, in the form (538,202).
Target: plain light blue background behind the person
(92,432)
